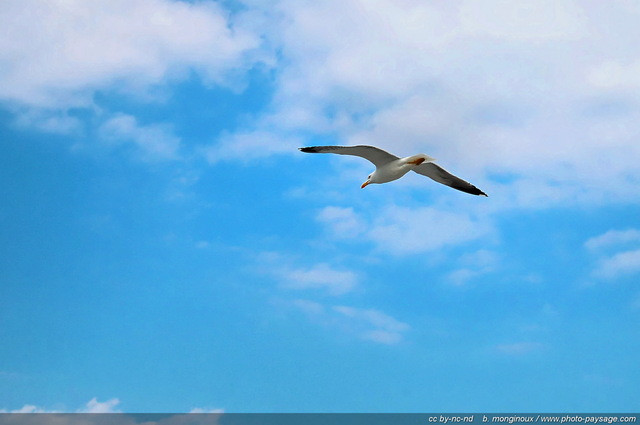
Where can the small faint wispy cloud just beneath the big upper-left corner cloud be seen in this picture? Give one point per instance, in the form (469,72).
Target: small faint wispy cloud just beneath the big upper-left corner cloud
(154,142)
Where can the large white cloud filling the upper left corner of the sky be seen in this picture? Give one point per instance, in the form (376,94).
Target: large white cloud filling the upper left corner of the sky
(57,53)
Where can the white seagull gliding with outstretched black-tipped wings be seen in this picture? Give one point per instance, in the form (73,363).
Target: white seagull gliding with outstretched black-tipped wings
(389,167)
